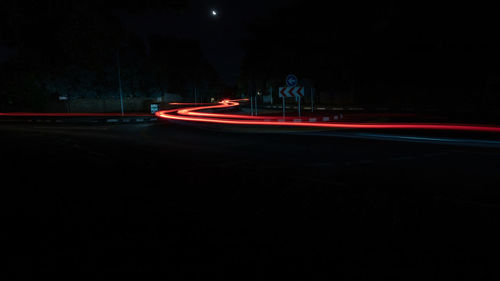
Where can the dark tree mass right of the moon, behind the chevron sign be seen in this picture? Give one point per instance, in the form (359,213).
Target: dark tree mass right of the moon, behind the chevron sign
(428,56)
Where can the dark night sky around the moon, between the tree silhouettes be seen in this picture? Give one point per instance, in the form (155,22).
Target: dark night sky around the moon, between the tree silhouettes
(220,37)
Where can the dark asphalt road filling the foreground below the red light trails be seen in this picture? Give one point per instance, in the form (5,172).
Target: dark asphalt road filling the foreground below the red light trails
(191,203)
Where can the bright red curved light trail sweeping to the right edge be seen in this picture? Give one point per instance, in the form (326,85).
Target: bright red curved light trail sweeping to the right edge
(193,114)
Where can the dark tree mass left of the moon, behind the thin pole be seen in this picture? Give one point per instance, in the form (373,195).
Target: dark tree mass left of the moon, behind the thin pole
(75,48)
